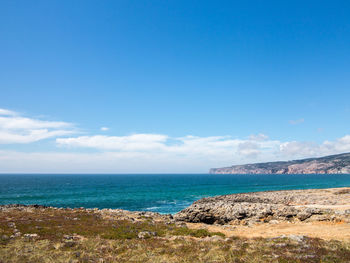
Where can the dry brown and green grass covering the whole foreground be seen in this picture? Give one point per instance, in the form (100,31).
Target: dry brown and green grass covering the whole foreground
(100,240)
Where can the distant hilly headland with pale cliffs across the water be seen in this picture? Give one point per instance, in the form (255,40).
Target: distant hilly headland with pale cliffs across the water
(333,164)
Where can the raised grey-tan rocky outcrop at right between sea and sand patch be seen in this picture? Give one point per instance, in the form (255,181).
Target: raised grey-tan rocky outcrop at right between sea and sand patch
(259,207)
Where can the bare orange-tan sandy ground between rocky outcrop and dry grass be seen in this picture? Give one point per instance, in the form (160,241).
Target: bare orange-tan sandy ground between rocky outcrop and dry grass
(324,230)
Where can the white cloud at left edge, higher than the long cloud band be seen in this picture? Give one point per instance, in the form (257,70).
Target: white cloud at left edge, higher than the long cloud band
(15,128)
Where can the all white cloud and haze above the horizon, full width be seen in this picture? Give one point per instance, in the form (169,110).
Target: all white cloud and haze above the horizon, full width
(142,152)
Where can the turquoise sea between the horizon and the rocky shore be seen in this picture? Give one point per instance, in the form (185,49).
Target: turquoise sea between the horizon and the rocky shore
(168,193)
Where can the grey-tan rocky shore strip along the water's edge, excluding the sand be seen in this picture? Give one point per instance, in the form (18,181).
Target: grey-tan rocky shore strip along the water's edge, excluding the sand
(309,205)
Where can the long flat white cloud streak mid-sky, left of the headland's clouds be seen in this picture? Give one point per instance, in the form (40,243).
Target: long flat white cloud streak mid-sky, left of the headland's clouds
(163,144)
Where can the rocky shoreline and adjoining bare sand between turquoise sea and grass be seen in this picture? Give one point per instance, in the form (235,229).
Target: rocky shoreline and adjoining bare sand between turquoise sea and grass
(237,214)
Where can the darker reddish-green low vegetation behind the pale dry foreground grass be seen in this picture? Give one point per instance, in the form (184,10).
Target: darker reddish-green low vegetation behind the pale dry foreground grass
(54,224)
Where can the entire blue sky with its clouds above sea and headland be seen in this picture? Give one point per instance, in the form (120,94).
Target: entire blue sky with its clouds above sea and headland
(171,86)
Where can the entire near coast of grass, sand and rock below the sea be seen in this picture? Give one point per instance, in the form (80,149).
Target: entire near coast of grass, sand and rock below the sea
(304,232)
